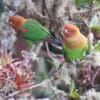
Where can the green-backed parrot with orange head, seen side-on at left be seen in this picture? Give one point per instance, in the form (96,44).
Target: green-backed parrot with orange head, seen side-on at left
(30,29)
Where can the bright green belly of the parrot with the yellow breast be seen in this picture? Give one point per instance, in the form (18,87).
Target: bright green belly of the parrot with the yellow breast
(71,54)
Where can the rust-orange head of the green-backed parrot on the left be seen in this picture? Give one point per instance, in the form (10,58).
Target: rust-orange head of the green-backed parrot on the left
(16,21)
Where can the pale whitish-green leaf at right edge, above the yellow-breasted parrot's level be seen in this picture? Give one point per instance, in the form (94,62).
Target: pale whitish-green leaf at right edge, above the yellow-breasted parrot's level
(95,22)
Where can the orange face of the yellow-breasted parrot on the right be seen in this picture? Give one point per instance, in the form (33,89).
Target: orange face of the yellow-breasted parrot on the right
(70,30)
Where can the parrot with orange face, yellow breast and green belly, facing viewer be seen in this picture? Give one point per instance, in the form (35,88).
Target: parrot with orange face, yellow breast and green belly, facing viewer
(74,43)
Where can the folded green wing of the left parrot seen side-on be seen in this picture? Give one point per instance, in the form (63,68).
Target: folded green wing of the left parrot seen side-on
(35,31)
